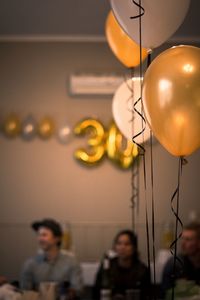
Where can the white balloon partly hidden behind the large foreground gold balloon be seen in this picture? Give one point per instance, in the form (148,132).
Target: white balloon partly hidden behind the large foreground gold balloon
(126,119)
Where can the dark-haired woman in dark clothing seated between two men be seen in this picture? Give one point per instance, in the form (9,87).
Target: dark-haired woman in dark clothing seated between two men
(126,271)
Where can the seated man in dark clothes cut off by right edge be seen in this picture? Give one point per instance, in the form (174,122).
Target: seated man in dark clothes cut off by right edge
(189,267)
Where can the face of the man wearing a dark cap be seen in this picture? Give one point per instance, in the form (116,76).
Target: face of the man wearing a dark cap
(46,239)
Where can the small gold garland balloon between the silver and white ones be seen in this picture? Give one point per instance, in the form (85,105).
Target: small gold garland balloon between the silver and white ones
(46,128)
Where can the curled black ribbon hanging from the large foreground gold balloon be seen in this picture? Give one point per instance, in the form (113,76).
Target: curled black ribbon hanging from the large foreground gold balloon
(175,211)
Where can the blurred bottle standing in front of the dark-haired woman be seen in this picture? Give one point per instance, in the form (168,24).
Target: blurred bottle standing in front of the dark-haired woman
(106,289)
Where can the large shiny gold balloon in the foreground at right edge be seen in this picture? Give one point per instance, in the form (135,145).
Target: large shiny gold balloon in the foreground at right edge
(171,97)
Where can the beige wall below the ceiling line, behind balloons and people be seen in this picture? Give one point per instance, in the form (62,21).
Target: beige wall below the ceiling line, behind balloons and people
(42,179)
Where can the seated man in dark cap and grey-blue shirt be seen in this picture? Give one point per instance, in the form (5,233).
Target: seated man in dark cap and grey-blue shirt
(51,265)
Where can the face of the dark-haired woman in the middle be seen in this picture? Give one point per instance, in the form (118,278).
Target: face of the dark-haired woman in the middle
(123,247)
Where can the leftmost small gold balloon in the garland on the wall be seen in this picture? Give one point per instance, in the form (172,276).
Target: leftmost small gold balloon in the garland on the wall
(12,126)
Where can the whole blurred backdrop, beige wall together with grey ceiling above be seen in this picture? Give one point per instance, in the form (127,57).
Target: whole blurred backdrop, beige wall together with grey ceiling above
(42,44)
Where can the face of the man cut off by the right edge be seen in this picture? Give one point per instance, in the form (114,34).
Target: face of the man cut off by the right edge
(190,243)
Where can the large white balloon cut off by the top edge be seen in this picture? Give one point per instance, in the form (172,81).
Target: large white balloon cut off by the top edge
(160,20)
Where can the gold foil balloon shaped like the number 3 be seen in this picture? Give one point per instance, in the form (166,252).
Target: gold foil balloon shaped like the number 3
(96,141)
